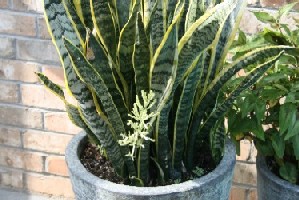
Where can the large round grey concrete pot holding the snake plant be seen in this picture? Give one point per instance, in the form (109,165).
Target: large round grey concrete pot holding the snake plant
(214,186)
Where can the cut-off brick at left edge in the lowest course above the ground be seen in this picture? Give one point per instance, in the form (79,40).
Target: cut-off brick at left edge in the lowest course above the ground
(11,178)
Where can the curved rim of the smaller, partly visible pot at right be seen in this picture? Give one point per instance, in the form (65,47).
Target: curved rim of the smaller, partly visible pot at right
(266,172)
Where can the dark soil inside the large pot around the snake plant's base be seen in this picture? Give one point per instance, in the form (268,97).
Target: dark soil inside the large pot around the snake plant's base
(99,166)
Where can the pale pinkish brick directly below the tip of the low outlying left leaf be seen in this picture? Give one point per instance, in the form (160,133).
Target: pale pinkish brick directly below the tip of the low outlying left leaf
(41,97)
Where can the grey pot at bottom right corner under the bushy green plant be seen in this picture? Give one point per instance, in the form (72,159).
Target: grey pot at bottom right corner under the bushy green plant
(272,187)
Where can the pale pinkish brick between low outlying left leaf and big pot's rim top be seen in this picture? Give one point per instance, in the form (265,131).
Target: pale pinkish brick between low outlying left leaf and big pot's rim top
(60,122)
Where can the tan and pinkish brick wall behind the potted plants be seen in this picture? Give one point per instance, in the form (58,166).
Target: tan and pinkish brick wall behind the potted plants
(34,129)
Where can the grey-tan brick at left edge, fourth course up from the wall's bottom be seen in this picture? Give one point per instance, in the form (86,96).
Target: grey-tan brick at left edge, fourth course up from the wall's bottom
(21,117)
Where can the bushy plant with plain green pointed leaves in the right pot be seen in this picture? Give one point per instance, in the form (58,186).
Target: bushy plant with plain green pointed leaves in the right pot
(267,113)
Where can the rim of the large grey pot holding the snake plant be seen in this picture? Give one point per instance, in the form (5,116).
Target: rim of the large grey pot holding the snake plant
(77,169)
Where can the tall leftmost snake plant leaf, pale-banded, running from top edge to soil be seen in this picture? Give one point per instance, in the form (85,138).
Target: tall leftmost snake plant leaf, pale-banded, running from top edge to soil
(60,26)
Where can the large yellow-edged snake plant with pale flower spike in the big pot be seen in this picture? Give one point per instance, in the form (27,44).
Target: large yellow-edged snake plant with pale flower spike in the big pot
(147,76)
